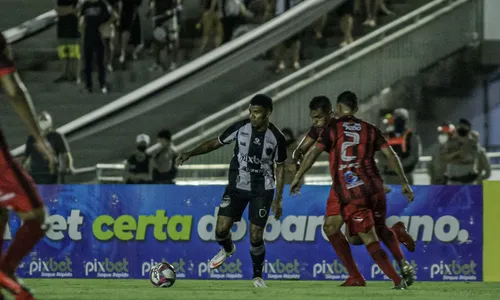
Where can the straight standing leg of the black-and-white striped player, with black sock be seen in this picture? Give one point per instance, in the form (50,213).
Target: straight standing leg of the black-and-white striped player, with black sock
(258,213)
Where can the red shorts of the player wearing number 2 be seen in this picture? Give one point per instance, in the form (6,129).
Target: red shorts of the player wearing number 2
(363,214)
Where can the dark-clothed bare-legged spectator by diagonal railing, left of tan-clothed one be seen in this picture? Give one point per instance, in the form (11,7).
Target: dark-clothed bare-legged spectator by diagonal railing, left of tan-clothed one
(165,32)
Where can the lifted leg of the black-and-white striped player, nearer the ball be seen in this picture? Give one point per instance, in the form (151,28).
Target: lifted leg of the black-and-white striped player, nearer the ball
(230,210)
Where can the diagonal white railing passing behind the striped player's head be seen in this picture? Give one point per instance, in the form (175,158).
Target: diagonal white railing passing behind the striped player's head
(378,35)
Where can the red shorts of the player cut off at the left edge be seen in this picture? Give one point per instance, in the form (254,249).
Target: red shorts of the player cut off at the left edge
(17,190)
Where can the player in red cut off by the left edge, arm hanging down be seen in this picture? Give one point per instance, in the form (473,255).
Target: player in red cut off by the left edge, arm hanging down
(17,189)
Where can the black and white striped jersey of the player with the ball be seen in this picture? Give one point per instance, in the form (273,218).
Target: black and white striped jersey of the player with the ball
(255,153)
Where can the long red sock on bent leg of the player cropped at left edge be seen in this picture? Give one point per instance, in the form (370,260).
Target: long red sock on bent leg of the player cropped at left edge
(28,235)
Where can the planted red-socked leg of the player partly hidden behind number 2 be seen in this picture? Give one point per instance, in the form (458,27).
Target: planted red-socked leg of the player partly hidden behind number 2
(331,227)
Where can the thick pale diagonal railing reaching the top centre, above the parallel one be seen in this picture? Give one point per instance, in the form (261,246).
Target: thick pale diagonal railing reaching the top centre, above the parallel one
(206,67)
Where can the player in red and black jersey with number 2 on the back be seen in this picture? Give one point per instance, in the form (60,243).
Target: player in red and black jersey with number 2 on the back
(351,144)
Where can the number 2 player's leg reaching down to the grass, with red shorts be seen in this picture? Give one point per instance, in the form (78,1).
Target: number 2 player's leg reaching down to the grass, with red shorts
(360,221)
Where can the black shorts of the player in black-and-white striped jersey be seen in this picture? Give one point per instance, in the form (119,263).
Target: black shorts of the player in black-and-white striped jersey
(234,202)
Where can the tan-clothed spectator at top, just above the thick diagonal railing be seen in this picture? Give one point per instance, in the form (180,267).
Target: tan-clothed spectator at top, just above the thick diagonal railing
(210,24)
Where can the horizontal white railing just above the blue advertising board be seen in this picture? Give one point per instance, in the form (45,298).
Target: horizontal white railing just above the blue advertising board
(100,168)
